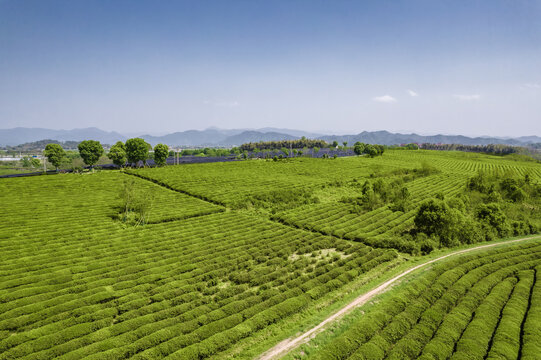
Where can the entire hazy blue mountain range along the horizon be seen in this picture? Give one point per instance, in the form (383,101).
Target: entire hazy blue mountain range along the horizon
(233,137)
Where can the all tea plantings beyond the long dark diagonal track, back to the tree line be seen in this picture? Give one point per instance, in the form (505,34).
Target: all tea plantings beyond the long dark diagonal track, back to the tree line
(309,193)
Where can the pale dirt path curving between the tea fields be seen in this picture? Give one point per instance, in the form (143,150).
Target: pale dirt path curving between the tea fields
(287,345)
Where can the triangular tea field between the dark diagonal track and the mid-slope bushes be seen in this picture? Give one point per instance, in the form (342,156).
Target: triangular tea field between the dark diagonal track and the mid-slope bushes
(233,183)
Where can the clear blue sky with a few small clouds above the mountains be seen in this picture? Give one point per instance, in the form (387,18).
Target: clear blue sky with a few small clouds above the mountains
(454,67)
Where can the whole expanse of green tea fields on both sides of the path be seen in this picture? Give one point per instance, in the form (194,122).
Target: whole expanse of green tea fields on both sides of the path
(227,251)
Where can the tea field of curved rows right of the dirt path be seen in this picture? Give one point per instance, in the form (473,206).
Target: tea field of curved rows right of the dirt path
(479,306)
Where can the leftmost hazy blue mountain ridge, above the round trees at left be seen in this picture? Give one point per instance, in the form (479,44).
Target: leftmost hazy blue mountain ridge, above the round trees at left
(21,135)
